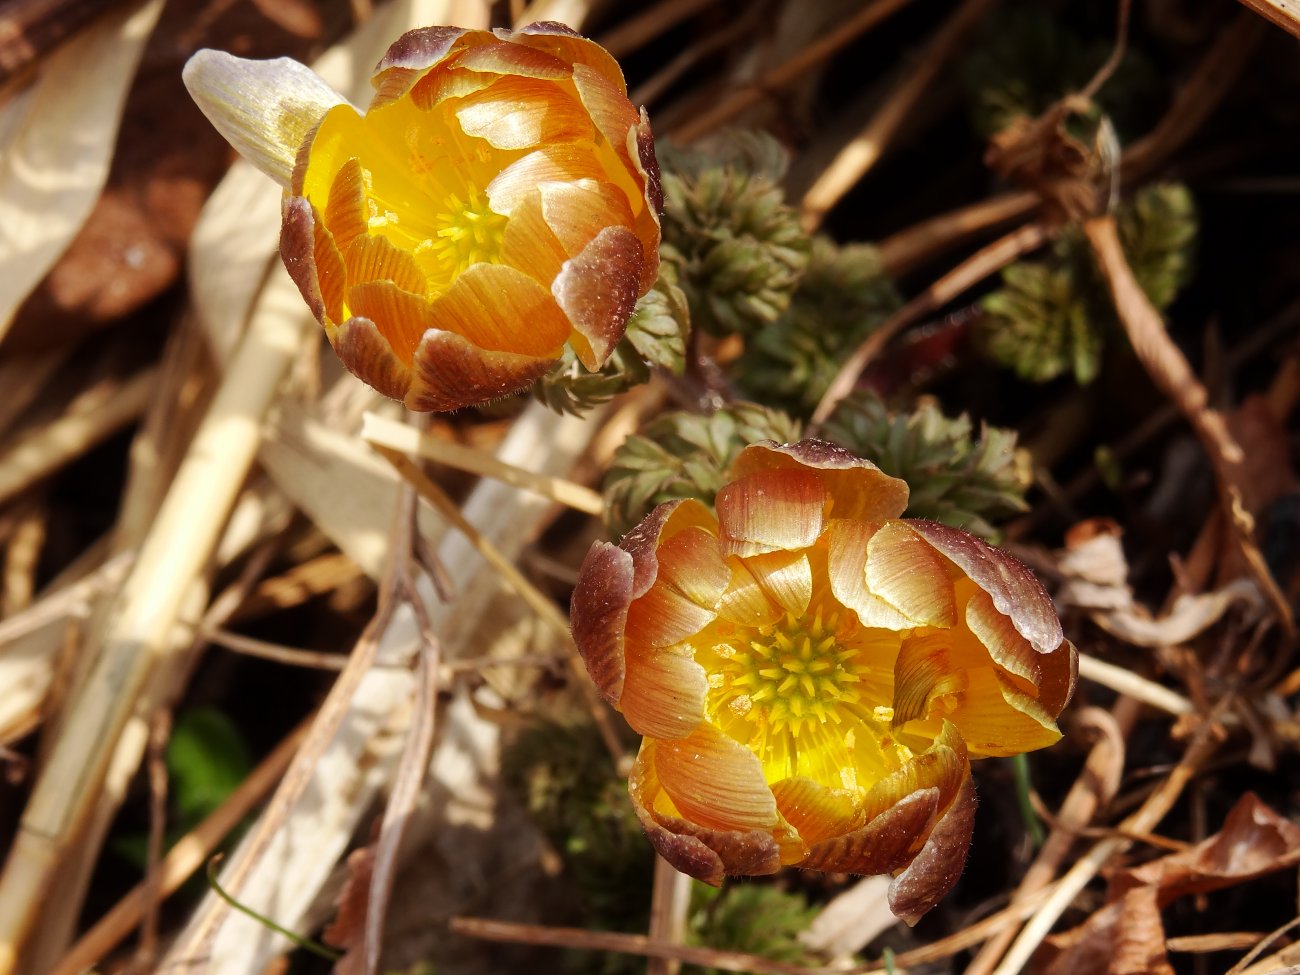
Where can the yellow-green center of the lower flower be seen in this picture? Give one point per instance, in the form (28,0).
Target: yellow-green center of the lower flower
(791,675)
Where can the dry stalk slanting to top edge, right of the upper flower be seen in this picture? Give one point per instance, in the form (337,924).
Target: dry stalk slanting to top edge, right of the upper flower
(853,162)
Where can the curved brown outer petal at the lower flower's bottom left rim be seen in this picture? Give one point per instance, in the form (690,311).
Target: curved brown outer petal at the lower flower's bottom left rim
(705,855)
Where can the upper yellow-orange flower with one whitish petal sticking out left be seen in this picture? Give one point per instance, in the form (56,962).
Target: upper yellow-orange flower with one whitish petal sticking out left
(499,200)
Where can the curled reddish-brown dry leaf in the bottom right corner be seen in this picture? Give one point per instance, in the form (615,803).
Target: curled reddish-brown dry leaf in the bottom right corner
(1128,938)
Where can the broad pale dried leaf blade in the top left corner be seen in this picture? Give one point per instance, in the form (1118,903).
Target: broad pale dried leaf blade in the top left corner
(55,158)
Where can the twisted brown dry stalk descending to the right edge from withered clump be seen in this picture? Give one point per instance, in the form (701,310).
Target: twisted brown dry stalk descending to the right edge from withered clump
(1172,374)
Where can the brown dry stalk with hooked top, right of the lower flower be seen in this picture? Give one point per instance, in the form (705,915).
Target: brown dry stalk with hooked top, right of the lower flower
(1095,787)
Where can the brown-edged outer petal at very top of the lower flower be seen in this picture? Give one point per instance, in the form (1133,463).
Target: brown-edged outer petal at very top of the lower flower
(857,488)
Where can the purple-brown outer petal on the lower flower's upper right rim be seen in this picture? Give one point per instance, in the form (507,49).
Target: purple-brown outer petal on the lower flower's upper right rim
(1016,591)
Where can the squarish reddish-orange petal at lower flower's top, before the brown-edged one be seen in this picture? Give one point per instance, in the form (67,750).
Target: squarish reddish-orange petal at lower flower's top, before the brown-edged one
(770,510)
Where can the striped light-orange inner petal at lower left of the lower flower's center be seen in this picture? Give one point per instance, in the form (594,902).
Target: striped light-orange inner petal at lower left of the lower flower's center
(716,782)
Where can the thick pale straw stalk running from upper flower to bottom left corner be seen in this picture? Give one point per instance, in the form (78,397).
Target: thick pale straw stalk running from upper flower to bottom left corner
(136,639)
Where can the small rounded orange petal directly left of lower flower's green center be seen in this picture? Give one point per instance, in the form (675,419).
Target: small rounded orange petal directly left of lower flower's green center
(664,696)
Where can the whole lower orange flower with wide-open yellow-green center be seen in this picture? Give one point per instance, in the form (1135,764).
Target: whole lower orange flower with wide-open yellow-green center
(812,675)
